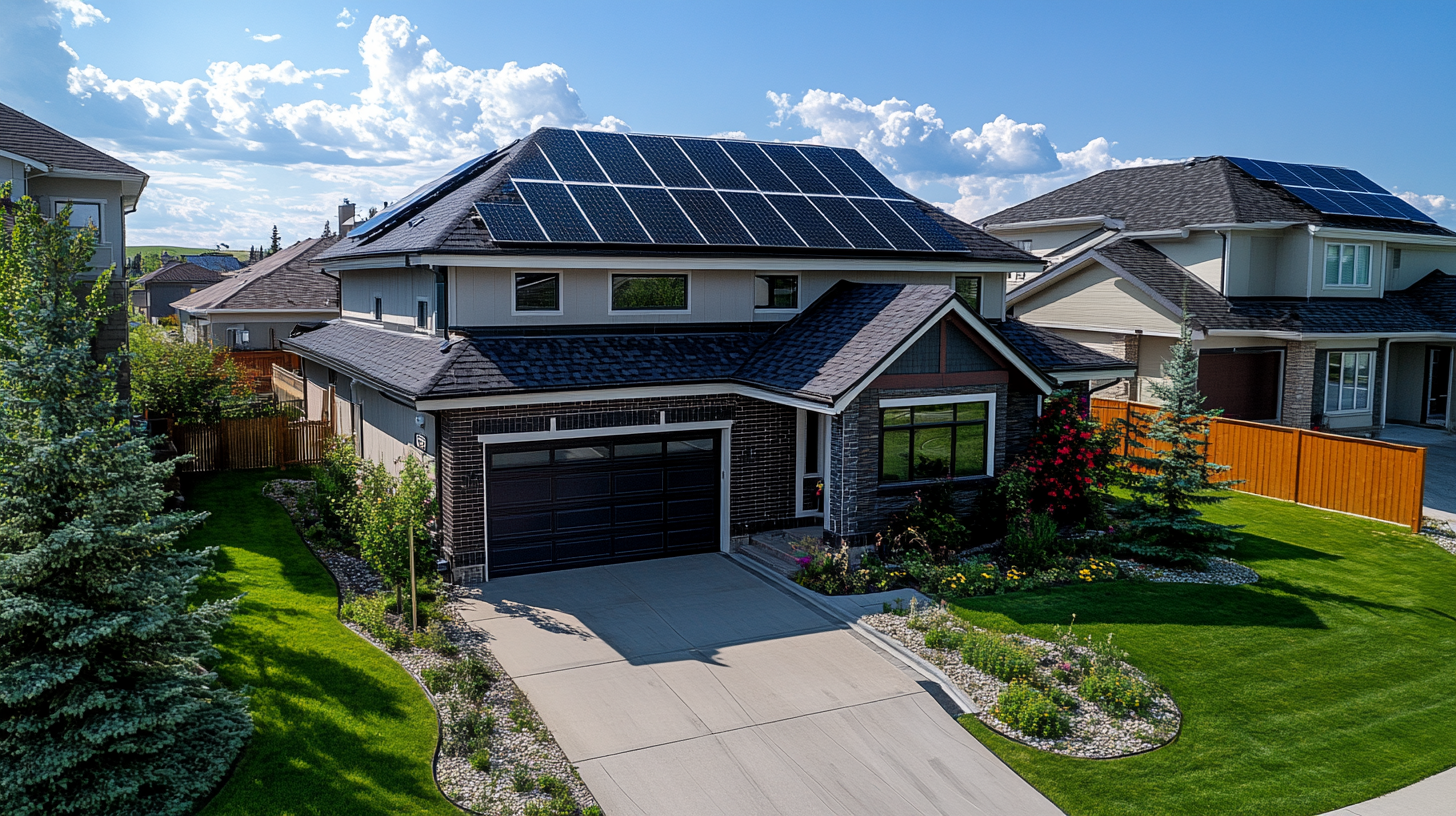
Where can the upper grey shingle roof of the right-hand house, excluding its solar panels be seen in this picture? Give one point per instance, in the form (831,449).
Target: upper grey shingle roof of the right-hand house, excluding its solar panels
(1203,192)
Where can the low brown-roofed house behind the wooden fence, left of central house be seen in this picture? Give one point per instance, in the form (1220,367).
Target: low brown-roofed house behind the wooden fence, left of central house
(263,304)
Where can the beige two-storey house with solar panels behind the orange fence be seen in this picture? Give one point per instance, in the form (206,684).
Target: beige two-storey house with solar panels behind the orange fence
(1317,298)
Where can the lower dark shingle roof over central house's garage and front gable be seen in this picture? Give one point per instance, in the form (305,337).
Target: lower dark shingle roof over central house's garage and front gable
(822,356)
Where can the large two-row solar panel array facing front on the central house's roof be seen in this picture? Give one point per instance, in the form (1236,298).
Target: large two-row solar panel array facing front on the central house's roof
(587,187)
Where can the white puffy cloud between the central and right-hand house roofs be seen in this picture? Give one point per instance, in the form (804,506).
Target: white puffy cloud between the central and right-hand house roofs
(991,168)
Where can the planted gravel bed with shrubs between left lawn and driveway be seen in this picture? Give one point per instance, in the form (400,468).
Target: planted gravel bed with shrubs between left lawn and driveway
(496,756)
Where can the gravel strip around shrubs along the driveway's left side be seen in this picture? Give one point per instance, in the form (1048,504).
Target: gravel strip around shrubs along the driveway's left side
(518,742)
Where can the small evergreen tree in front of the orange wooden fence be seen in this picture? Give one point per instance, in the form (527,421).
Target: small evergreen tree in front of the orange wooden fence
(1170,473)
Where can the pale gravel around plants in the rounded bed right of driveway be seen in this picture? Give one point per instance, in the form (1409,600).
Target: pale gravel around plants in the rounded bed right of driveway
(1096,734)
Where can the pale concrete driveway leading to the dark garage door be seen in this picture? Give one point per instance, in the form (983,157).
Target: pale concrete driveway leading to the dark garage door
(691,687)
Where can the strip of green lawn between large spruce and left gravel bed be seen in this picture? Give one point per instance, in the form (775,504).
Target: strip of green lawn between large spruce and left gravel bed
(340,726)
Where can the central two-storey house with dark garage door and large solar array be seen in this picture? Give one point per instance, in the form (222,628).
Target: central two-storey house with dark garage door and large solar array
(621,348)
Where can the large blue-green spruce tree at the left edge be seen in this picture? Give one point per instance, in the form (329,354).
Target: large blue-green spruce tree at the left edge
(107,705)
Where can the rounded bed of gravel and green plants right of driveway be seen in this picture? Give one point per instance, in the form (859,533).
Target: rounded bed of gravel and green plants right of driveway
(1074,697)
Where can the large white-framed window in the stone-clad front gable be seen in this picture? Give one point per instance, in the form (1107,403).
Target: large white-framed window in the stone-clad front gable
(933,442)
